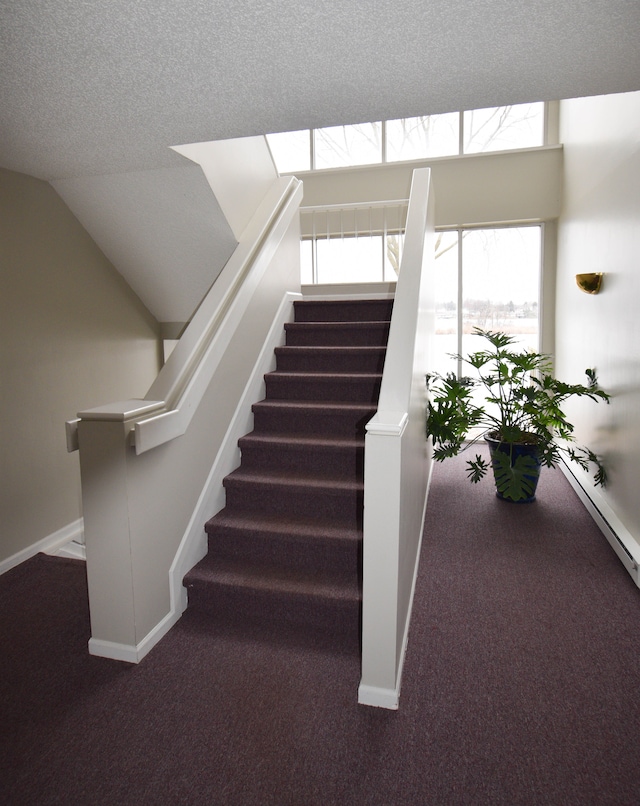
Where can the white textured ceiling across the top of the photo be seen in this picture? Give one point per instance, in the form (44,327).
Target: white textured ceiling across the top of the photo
(95,87)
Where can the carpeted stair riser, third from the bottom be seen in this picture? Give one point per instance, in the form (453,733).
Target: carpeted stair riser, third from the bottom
(337,508)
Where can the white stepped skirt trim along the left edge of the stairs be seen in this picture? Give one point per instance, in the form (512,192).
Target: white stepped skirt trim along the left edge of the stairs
(193,546)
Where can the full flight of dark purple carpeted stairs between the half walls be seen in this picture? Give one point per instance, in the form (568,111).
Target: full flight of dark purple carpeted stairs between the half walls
(284,558)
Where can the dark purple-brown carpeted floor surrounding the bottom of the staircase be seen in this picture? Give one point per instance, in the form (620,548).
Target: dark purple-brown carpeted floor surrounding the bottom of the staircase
(520,687)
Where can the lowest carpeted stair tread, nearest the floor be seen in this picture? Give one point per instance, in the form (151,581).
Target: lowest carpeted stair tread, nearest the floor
(267,578)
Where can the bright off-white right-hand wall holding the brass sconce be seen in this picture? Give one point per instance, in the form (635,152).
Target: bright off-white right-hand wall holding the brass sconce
(599,231)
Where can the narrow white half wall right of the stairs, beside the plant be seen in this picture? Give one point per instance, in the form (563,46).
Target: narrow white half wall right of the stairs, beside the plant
(398,462)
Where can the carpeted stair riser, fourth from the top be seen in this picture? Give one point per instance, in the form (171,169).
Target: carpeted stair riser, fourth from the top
(351,390)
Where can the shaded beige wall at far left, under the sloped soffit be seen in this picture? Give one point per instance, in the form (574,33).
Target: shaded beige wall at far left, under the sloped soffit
(72,336)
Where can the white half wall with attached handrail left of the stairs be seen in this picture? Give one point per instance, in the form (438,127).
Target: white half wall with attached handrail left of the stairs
(139,503)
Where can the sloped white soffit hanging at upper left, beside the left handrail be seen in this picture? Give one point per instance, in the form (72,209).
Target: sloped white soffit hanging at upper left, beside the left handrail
(163,230)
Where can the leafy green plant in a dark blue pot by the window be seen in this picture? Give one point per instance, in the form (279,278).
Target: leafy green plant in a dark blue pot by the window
(520,416)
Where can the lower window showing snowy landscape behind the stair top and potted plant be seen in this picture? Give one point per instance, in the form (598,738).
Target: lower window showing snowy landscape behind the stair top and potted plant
(485,277)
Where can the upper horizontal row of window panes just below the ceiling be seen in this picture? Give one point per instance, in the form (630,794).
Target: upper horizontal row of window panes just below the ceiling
(426,137)
